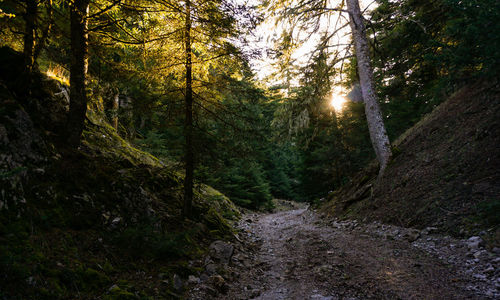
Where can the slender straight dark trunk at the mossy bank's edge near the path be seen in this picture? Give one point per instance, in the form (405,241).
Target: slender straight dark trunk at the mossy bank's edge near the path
(188,125)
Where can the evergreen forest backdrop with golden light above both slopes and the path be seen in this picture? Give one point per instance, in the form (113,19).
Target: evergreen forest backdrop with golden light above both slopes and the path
(179,79)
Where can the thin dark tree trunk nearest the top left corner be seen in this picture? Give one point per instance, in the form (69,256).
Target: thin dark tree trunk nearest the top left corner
(29,35)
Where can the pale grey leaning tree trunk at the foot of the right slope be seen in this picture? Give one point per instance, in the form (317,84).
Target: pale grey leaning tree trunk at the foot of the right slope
(378,134)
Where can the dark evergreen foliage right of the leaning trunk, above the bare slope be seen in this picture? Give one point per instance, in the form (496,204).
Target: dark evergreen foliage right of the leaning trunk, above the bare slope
(426,50)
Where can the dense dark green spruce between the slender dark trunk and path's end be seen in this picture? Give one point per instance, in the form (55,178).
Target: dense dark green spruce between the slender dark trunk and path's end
(241,157)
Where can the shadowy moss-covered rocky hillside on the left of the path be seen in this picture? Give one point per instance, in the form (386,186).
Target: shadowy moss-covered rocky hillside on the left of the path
(102,222)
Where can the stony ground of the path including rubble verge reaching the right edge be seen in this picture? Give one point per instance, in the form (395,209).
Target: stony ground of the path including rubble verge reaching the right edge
(299,254)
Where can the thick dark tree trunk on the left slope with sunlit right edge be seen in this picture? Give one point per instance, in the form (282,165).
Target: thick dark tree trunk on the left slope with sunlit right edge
(78,71)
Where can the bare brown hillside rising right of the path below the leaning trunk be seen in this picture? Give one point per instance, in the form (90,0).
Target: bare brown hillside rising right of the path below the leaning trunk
(445,172)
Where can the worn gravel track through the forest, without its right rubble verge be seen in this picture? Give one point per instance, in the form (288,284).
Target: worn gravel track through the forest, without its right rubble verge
(296,254)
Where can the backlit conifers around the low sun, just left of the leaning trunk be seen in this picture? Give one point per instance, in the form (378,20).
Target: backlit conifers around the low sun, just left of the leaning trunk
(329,146)
